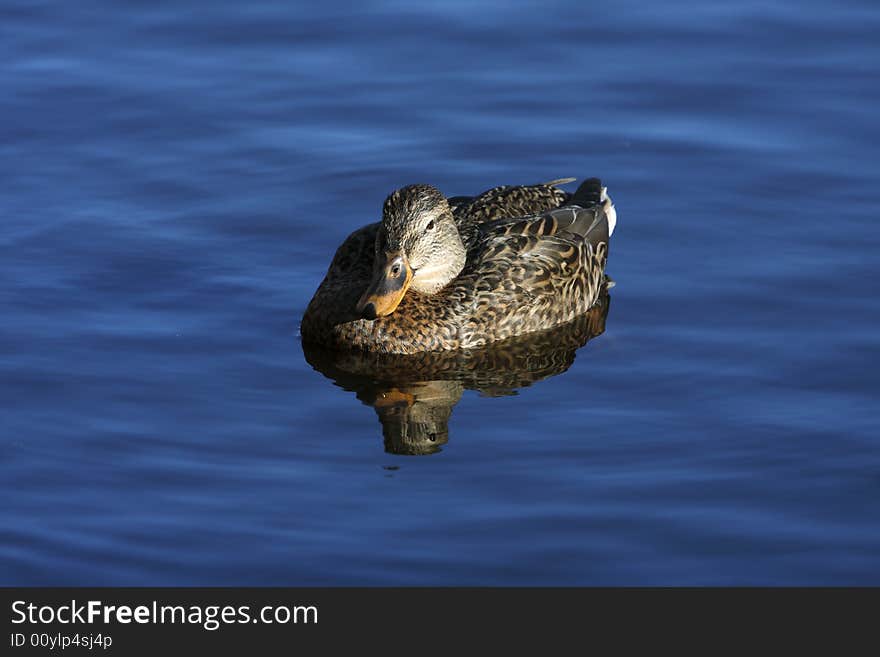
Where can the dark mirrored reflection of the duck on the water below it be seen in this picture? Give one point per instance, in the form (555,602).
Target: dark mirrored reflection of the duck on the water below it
(414,394)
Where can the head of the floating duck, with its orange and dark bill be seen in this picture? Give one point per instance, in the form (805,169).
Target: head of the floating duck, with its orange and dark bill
(417,246)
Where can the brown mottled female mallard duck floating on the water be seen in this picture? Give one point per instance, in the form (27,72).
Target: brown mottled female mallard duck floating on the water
(458,273)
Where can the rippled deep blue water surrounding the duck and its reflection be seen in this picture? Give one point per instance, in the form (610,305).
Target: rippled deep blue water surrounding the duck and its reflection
(176,178)
